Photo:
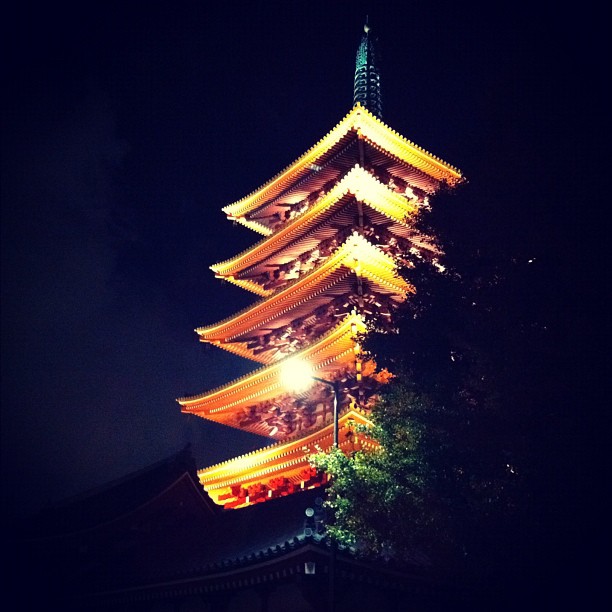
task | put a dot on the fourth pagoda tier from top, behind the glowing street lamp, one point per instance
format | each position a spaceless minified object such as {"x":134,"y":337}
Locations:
{"x":259,"y":403}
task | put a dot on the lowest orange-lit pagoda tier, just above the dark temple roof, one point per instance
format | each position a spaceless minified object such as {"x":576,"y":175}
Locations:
{"x":280,"y":469}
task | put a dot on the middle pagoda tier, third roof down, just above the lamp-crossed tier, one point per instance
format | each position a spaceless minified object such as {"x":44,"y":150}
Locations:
{"x":357,"y":276}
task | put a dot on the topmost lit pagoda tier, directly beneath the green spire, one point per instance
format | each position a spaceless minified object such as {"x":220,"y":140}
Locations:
{"x":359,"y":138}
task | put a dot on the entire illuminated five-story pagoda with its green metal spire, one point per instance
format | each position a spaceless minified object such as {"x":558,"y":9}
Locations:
{"x":336,"y":224}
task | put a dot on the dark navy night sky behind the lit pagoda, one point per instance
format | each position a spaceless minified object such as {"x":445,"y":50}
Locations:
{"x":128,"y":126}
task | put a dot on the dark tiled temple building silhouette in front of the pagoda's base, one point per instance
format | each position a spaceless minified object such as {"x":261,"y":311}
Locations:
{"x":153,"y":541}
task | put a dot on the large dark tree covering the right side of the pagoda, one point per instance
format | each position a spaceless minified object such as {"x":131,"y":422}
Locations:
{"x":460,"y":474}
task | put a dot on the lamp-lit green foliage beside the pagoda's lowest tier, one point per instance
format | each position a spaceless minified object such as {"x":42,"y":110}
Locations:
{"x":378,"y":498}
